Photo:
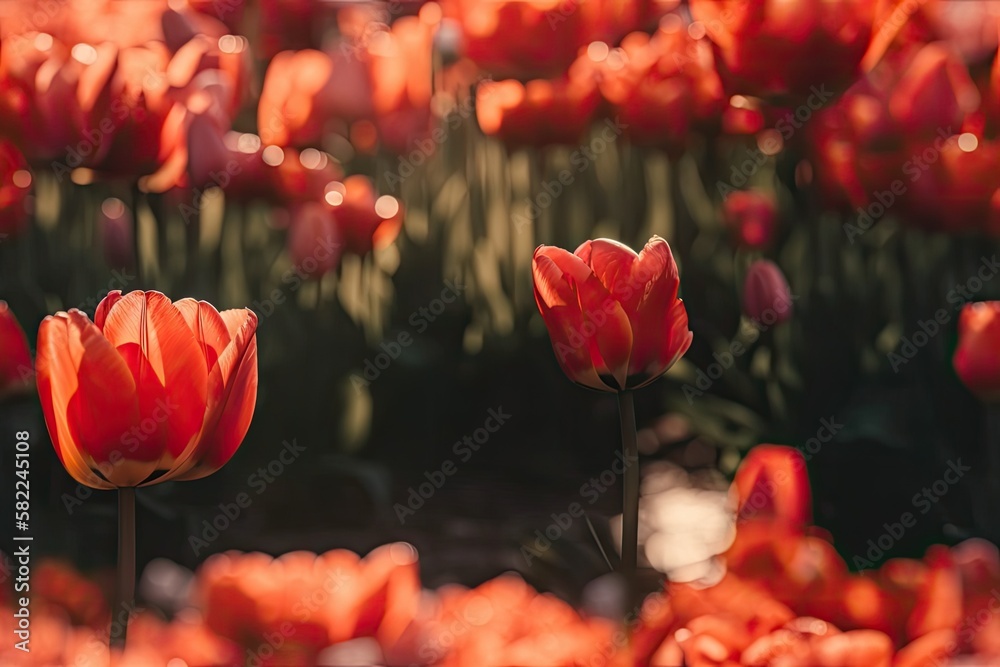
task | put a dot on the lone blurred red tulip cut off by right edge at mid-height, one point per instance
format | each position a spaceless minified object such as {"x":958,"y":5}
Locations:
{"x":977,"y":357}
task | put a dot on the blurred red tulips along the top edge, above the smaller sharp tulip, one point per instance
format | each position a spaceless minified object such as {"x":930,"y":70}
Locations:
{"x":660,"y":86}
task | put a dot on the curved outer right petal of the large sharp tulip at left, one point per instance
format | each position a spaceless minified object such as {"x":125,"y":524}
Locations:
{"x":232,"y":397}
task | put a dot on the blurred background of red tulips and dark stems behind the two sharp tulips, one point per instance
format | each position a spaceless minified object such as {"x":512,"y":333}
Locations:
{"x":215,"y":149}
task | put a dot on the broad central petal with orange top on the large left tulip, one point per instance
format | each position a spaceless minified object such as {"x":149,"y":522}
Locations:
{"x":167,"y":364}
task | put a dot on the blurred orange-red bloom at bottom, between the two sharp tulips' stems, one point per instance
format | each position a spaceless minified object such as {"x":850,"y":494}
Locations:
{"x":314,"y":600}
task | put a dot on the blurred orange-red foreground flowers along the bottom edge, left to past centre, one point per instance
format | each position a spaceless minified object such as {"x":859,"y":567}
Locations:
{"x":303,"y":609}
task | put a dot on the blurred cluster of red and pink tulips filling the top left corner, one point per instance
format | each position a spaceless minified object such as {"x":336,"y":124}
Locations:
{"x":150,"y":93}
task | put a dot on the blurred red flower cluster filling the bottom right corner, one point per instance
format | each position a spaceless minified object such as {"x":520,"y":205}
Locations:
{"x":788,"y":598}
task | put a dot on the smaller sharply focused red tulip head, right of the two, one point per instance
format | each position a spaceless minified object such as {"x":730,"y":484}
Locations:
{"x":614,"y":317}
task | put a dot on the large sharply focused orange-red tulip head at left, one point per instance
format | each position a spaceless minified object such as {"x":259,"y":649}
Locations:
{"x":149,"y":391}
